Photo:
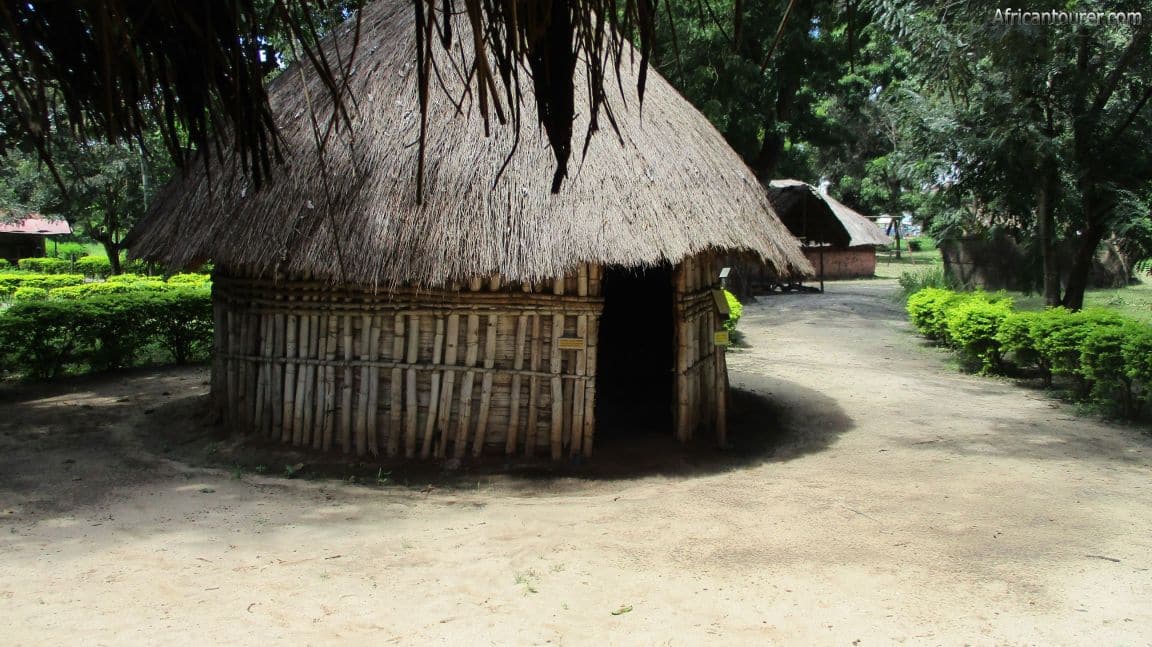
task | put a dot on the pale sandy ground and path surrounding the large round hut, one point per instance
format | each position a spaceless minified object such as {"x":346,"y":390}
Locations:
{"x":886,"y":499}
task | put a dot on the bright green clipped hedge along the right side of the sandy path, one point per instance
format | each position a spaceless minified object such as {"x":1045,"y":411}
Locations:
{"x":1106,"y":357}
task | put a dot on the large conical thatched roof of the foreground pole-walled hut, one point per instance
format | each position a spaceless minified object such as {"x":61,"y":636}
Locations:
{"x":673,"y":188}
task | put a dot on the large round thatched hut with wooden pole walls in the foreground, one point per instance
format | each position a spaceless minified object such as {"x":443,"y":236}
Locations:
{"x":353,"y":316}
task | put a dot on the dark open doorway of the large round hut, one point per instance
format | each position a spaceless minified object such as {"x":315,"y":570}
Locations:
{"x":635,"y":384}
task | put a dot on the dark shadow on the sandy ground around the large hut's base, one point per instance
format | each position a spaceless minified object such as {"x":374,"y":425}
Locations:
{"x":71,"y":444}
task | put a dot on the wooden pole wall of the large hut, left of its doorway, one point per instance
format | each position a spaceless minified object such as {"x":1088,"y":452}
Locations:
{"x":429,"y":374}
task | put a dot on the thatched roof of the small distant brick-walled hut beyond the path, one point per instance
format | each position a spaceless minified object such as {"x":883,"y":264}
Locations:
{"x":818,"y":218}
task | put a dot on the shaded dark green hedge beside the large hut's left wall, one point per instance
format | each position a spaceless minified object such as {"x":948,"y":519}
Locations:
{"x":46,"y":339}
